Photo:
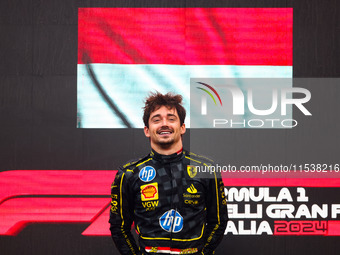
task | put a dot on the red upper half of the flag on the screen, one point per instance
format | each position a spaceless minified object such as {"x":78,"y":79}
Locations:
{"x":186,"y":36}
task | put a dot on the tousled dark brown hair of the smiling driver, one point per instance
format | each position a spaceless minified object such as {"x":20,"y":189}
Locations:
{"x":155,"y":100}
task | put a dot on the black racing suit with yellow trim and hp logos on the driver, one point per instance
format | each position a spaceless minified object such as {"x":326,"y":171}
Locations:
{"x":173,"y":210}
